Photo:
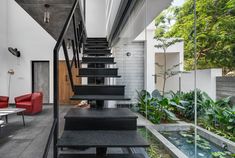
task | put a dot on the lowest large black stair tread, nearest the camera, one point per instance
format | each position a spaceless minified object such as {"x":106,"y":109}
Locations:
{"x":101,"y":138}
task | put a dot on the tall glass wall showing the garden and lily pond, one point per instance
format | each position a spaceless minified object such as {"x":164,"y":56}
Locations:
{"x":177,"y":62}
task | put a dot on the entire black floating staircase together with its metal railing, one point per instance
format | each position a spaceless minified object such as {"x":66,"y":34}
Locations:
{"x":97,"y":127}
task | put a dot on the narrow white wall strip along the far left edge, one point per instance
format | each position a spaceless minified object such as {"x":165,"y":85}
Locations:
{"x":3,"y":48}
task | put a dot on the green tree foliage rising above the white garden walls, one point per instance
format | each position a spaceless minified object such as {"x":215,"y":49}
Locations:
{"x":215,"y":32}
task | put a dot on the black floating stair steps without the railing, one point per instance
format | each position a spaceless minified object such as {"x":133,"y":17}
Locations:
{"x":100,"y":127}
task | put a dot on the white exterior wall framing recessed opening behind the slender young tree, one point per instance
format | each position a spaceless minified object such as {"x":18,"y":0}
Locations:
{"x":150,"y":54}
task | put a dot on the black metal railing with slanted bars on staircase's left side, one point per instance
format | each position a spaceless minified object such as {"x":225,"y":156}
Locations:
{"x":79,"y":32}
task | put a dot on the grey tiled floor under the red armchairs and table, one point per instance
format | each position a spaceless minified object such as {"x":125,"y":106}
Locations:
{"x":17,"y":141}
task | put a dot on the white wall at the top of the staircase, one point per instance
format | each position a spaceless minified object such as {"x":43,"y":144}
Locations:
{"x":95,"y":18}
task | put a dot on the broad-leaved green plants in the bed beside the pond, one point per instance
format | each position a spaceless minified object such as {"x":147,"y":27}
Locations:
{"x":216,"y":116}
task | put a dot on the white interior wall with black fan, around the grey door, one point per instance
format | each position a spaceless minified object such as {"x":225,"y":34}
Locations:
{"x":34,"y":43}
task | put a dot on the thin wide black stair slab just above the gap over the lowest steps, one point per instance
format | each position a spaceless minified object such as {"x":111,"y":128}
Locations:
{"x":99,"y":97}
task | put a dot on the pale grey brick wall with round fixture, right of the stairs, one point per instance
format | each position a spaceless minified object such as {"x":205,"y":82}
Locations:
{"x":130,"y":68}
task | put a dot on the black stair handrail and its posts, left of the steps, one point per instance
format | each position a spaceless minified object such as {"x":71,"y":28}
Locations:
{"x":61,"y":42}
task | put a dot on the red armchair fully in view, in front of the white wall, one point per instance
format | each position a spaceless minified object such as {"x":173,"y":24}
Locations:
{"x":31,"y":102}
